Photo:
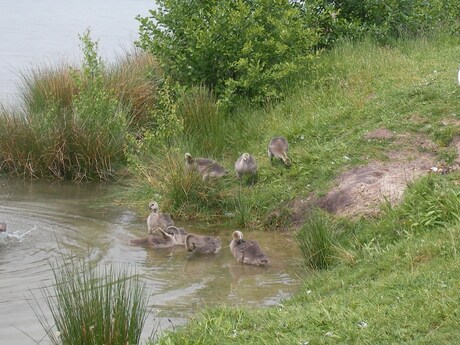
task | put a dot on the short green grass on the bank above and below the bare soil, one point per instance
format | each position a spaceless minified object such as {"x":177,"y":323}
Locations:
{"x":391,"y":279}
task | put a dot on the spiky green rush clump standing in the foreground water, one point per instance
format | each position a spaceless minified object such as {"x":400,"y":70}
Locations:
{"x":93,"y":305}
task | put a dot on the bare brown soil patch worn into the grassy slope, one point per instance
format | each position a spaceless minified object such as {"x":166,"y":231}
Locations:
{"x":362,"y":190}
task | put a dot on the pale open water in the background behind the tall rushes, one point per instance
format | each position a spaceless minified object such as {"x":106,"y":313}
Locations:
{"x":45,"y":32}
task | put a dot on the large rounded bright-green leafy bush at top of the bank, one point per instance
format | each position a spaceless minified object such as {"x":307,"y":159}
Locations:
{"x":248,"y":48}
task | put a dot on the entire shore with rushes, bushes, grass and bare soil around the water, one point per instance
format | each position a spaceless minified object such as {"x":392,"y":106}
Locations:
{"x":368,"y":99}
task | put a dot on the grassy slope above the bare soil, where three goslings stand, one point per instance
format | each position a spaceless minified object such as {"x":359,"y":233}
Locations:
{"x":356,"y":88}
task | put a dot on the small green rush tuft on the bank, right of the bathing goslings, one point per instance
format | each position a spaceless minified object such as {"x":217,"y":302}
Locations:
{"x":316,"y":241}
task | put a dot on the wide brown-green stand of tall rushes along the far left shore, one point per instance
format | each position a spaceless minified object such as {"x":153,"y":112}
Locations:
{"x":73,"y":123}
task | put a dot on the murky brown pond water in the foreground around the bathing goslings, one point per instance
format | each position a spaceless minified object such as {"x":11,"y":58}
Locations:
{"x":45,"y":219}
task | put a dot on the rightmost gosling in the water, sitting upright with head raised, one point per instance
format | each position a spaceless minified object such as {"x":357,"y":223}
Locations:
{"x":247,"y":252}
